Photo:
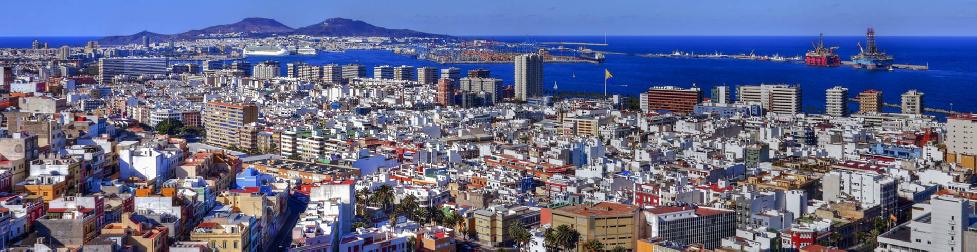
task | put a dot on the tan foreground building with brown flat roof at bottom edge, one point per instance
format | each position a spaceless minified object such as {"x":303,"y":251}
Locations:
{"x":612,"y":224}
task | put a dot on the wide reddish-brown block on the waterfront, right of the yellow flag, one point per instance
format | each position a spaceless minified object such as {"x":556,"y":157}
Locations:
{"x":674,"y":99}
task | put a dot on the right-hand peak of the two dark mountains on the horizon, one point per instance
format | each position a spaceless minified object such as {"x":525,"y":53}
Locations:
{"x":347,"y":27}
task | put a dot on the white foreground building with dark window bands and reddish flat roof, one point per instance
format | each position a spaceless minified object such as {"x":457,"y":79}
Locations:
{"x":690,"y":225}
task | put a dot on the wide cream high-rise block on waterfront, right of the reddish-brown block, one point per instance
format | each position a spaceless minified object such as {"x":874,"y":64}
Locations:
{"x":773,"y":98}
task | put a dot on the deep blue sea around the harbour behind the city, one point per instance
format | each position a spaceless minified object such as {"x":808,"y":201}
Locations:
{"x":948,"y":84}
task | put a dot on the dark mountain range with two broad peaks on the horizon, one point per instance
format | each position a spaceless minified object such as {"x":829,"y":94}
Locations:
{"x":262,"y":27}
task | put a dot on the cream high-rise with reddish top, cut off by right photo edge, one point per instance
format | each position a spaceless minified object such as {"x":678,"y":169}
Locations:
{"x":961,"y":140}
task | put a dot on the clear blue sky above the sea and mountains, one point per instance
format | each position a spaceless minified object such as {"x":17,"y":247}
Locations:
{"x":506,"y":17}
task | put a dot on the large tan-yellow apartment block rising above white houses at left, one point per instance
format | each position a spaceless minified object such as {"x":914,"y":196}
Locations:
{"x":224,"y":121}
